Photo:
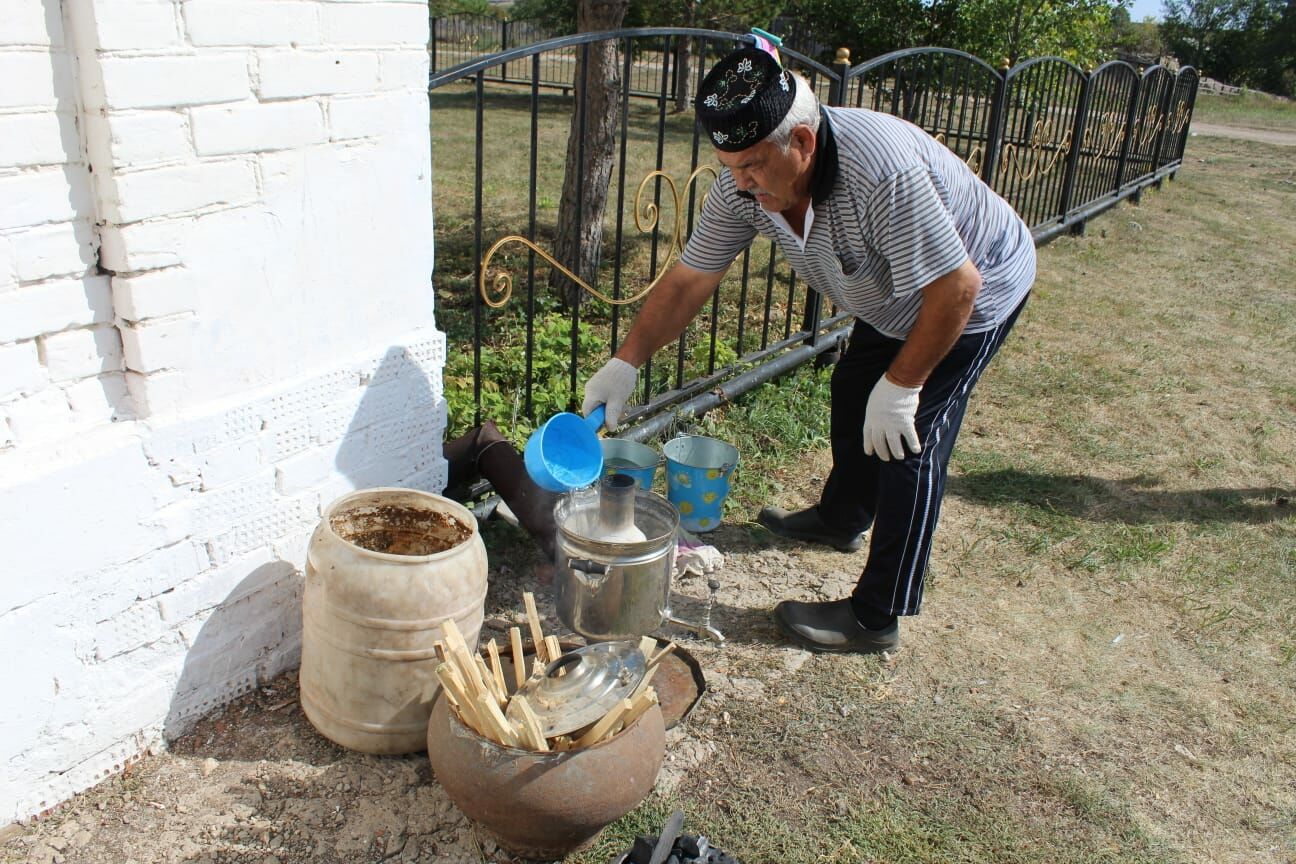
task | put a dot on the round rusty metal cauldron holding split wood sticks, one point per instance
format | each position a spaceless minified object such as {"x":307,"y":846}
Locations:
{"x":545,"y":805}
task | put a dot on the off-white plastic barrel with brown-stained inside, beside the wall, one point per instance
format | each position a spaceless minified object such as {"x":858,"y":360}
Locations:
{"x":386,"y":569}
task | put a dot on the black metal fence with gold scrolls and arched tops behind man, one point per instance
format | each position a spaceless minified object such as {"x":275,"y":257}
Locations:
{"x":1061,"y":144}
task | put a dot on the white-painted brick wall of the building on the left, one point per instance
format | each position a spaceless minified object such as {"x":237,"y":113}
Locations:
{"x":216,"y":318}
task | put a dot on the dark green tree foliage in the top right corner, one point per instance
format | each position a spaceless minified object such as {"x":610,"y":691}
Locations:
{"x":1240,"y":42}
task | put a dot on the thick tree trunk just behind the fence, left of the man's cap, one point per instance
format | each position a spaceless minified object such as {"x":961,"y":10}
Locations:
{"x":580,"y":231}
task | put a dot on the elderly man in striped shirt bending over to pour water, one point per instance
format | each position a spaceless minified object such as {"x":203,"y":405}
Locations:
{"x":892,"y":227}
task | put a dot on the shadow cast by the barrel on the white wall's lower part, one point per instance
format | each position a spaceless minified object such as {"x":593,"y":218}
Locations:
{"x":253,"y":635}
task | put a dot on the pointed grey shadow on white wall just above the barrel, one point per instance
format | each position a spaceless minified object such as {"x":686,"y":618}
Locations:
{"x":395,"y":436}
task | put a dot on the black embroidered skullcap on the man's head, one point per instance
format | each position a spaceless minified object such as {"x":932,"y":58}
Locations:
{"x":743,"y":99}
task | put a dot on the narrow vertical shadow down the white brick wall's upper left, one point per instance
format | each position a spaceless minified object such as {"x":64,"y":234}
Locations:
{"x":77,"y":227}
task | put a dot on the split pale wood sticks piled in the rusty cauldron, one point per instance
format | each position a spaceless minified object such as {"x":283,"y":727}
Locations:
{"x":481,"y":700}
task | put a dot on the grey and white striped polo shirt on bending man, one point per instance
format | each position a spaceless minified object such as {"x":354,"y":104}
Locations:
{"x":892,"y":210}
